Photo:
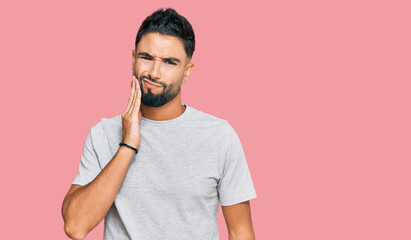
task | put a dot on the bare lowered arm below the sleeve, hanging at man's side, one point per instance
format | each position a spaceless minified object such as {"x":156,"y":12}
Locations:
{"x":238,"y":220}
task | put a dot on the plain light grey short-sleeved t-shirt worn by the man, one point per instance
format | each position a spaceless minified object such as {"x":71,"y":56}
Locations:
{"x":183,"y":168}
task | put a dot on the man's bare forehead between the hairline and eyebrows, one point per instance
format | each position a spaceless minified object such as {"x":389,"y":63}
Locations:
{"x":159,"y":45}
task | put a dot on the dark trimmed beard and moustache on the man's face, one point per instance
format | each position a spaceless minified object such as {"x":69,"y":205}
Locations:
{"x":150,"y":99}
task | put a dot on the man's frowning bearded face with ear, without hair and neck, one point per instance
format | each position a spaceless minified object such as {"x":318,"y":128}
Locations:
{"x":160,"y":59}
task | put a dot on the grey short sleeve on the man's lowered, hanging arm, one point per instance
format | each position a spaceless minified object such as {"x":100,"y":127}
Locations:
{"x":235,"y":184}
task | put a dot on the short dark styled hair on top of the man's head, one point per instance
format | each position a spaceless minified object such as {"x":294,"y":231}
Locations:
{"x":169,"y":22}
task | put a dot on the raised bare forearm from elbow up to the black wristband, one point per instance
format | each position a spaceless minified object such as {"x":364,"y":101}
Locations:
{"x":88,"y":205}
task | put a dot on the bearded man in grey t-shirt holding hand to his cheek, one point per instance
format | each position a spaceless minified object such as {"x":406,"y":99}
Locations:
{"x":175,"y":163}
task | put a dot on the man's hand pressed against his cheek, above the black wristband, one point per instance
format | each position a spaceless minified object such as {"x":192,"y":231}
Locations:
{"x":131,"y":117}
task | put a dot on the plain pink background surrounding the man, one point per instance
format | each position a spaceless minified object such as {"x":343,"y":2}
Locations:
{"x":318,"y":91}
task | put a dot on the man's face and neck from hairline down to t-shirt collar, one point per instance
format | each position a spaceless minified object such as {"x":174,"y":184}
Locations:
{"x":149,"y":62}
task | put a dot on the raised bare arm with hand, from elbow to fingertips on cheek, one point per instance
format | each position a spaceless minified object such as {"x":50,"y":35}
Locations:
{"x":85,"y":206}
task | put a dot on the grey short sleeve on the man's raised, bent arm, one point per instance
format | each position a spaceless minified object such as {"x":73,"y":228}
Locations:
{"x":89,"y":166}
